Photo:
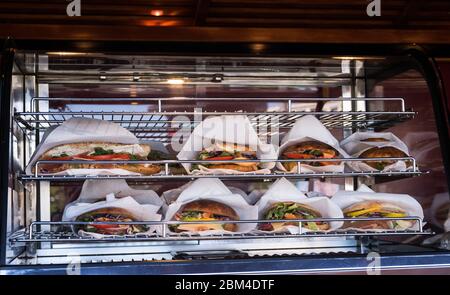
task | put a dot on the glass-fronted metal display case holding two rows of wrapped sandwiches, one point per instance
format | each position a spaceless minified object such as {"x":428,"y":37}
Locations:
{"x":161,"y":98}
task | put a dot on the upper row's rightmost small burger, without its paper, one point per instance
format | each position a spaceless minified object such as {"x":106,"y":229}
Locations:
{"x":383,"y":152}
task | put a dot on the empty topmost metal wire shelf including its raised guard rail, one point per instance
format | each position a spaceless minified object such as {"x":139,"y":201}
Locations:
{"x":161,"y":124}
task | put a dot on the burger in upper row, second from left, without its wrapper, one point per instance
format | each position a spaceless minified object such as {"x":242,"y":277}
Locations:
{"x":227,"y":151}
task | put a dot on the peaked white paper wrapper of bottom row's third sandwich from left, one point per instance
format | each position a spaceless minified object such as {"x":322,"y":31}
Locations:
{"x":284,"y":191}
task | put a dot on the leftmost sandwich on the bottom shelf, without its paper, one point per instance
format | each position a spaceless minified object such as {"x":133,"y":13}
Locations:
{"x":110,"y":215}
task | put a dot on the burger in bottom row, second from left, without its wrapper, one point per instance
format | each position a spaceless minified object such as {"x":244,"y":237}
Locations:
{"x":205,"y":210}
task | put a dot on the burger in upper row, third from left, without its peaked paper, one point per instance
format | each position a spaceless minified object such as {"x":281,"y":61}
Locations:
{"x":309,"y":150}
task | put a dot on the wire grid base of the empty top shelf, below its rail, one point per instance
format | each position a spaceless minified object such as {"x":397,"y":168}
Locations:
{"x":160,"y":126}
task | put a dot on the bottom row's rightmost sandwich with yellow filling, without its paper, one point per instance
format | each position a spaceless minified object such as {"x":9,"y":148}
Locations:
{"x":373,"y":209}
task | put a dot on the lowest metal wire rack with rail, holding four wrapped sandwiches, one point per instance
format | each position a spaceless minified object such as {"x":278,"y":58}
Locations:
{"x":161,"y":231}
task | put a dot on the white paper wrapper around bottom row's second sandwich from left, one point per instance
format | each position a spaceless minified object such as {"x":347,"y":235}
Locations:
{"x":213,"y":189}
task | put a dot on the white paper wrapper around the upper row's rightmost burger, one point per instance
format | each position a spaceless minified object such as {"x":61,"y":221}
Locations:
{"x":355,"y":147}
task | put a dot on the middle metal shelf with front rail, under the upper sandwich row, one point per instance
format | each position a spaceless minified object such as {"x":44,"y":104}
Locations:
{"x":168,"y":175}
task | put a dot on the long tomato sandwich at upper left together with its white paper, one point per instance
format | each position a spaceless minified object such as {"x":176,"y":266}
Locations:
{"x":83,"y":139}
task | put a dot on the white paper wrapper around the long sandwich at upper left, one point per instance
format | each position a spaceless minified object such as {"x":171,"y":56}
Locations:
{"x":77,"y":130}
